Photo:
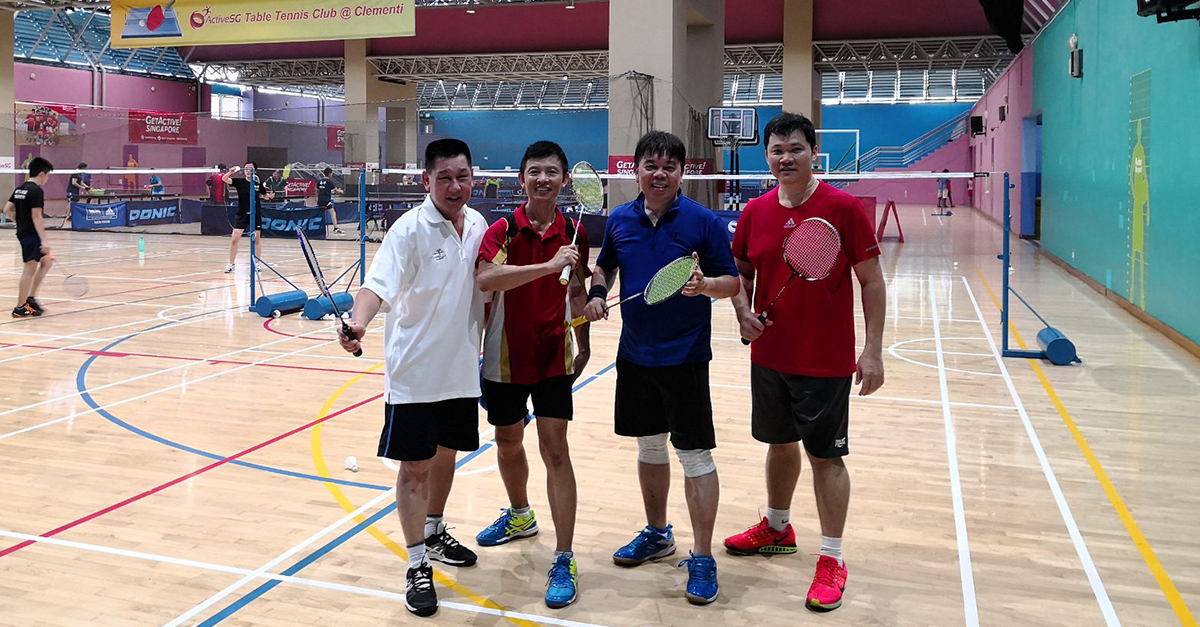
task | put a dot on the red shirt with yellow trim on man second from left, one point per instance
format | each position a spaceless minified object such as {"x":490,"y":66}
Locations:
{"x":529,"y":337}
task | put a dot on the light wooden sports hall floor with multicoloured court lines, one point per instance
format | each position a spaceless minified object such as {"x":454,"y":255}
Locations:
{"x":170,"y":459}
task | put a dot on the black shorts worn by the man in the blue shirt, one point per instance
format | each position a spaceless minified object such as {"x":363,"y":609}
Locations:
{"x":653,"y":401}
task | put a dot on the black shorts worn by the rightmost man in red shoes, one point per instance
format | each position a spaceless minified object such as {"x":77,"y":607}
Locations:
{"x":795,"y":408}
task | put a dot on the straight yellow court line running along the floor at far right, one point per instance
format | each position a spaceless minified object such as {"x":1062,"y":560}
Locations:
{"x":1139,"y":540}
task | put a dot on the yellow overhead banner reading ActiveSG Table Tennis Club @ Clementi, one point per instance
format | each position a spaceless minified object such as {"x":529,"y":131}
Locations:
{"x":149,"y":25}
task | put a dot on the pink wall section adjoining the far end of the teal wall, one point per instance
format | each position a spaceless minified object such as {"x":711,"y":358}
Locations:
{"x":999,"y":150}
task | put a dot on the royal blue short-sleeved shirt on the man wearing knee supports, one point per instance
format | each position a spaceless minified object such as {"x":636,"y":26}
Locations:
{"x":679,"y":331}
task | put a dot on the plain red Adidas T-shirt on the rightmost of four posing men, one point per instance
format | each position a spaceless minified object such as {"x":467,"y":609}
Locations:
{"x":813,"y":331}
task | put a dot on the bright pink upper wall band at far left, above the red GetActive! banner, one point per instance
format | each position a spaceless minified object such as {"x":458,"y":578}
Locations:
{"x":75,"y":87}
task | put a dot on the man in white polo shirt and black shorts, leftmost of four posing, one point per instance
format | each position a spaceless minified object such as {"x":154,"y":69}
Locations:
{"x":423,"y":278}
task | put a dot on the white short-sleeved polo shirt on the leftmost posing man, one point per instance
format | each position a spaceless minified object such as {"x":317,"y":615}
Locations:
{"x":425,"y":276}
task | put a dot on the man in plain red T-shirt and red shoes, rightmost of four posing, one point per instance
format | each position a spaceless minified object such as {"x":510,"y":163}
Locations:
{"x":803,"y":360}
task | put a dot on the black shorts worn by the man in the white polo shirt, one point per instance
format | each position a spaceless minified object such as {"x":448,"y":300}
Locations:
{"x":413,"y":432}
